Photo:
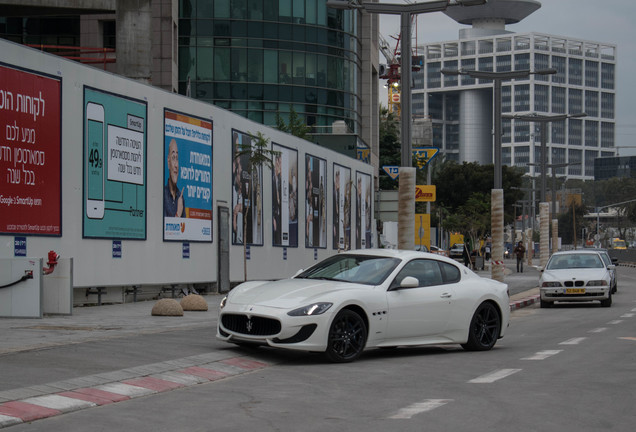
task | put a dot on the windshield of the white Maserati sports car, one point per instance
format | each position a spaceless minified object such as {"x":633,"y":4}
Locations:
{"x":364,"y":269}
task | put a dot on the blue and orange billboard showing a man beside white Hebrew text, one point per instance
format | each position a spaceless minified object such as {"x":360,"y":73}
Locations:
{"x":187,"y":179}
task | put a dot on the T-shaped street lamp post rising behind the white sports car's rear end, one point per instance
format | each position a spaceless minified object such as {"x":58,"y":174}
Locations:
{"x":497,"y":203}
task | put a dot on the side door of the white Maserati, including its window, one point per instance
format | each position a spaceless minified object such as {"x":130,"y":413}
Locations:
{"x":421,"y":311}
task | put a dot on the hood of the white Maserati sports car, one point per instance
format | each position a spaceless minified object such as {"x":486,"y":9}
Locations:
{"x":288,"y":293}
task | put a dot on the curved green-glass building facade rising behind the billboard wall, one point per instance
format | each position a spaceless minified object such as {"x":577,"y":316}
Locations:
{"x":262,"y":58}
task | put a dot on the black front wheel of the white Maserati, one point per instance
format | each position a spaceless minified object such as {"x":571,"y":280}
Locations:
{"x":347,"y":337}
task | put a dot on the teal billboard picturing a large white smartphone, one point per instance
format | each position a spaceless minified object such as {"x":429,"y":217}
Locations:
{"x":114,"y":166}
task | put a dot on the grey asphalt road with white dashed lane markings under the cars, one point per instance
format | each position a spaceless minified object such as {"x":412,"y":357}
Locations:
{"x":569,"y":368}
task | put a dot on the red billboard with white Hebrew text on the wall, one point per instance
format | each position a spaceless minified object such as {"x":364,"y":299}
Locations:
{"x":30,"y":153}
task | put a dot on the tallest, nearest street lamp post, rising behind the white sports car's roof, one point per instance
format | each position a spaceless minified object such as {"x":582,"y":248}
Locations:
{"x":406,"y":209}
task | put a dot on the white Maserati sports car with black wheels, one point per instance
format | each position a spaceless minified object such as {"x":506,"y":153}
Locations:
{"x":365,"y":299}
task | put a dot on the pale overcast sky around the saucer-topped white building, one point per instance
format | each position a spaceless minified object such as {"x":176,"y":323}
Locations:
{"x":606,"y":21}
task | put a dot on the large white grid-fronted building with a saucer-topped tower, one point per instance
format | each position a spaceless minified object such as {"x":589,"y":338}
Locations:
{"x":461,"y":107}
